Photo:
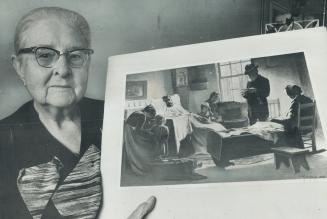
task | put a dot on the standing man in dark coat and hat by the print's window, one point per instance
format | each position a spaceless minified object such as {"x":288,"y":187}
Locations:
{"x":258,"y":89}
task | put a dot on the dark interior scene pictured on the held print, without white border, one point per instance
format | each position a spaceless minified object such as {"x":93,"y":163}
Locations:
{"x":245,"y":120}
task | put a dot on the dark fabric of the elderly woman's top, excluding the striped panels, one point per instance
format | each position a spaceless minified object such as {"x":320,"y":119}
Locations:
{"x":25,"y":142}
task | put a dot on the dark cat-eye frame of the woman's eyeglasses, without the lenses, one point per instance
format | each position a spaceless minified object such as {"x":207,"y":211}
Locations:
{"x":35,"y":48}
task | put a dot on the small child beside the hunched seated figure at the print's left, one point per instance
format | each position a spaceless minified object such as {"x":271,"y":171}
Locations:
{"x":161,"y":134}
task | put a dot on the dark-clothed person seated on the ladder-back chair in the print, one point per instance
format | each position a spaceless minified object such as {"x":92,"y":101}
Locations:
{"x":291,"y":121}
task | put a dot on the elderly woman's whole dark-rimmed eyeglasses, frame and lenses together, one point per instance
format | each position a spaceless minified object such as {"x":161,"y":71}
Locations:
{"x":48,"y":57}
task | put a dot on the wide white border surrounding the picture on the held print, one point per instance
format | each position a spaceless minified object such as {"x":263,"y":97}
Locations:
{"x":260,"y":199}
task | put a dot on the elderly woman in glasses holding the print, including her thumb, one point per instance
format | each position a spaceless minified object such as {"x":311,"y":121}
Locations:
{"x":50,"y":147}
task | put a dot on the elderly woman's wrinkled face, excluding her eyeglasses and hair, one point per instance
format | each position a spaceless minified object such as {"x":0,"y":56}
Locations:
{"x":59,"y":86}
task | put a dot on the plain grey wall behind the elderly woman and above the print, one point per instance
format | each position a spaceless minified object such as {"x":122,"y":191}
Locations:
{"x":124,"y":26}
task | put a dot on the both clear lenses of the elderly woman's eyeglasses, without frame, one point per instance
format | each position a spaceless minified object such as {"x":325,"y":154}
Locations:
{"x":48,"y":57}
